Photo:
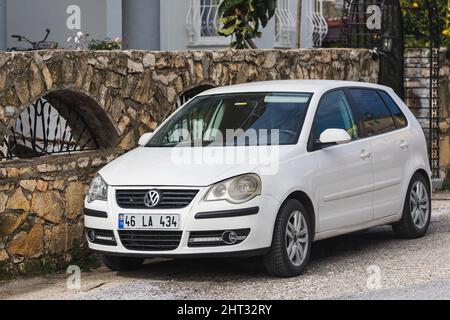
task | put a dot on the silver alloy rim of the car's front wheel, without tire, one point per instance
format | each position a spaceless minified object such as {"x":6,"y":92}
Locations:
{"x":297,"y":238}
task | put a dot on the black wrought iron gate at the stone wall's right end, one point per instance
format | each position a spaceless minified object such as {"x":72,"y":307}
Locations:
{"x":359,"y":29}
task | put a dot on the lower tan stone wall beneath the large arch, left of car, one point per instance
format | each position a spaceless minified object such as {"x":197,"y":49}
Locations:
{"x":41,"y":206}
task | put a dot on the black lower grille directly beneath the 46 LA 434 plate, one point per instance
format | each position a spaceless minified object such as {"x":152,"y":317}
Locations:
{"x":150,"y":240}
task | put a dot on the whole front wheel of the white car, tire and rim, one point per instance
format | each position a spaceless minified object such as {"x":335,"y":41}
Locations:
{"x":291,"y":243}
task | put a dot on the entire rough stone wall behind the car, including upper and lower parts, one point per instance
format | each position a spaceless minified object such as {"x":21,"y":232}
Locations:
{"x":121,"y":94}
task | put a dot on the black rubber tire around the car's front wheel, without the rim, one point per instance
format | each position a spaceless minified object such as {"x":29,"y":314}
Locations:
{"x":277,"y":262}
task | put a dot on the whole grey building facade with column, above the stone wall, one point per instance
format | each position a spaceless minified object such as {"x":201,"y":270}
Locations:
{"x":143,"y":24}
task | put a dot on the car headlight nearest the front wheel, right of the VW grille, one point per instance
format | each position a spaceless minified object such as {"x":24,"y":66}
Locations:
{"x":235,"y":190}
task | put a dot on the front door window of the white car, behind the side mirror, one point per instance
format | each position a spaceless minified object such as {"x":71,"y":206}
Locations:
{"x":334,"y":112}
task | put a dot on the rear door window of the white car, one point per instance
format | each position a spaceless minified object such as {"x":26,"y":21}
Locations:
{"x":376,"y":117}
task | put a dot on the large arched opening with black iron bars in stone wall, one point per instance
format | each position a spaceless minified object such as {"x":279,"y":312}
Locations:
{"x":61,"y":122}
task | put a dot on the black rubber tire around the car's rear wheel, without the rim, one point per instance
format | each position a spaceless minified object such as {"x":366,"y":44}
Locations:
{"x":406,"y":228}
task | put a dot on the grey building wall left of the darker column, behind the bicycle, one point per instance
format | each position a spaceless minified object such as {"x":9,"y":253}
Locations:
{"x":30,"y":18}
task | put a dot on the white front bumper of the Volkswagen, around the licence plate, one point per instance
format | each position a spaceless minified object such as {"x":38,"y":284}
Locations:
{"x":198,"y":217}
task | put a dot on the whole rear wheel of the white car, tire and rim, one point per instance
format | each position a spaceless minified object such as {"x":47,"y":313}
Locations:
{"x":417,"y":210}
